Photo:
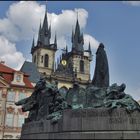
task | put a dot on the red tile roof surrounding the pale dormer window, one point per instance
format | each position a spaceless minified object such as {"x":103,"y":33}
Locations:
{"x":8,"y":75}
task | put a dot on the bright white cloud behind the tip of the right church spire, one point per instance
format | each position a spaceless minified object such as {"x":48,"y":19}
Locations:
{"x":65,"y":22}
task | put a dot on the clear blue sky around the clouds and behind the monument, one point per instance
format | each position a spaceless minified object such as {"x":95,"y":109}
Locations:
{"x":116,"y":24}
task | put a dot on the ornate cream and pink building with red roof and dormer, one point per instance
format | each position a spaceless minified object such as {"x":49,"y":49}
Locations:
{"x":14,"y":86}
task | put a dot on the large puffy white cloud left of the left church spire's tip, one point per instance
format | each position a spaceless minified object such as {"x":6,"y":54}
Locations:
{"x":22,"y":20}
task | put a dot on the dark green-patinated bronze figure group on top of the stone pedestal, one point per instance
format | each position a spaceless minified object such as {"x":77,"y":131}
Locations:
{"x":46,"y":101}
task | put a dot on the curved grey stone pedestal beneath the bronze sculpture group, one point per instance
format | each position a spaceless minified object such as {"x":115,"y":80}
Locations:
{"x":87,"y":124}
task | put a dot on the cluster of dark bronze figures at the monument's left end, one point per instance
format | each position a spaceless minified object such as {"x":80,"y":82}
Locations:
{"x":45,"y":100}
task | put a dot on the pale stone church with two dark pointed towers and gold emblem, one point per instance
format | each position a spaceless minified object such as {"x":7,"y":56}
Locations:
{"x":72,"y":66}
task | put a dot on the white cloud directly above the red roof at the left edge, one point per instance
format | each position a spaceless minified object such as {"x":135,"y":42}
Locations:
{"x":9,"y":54}
